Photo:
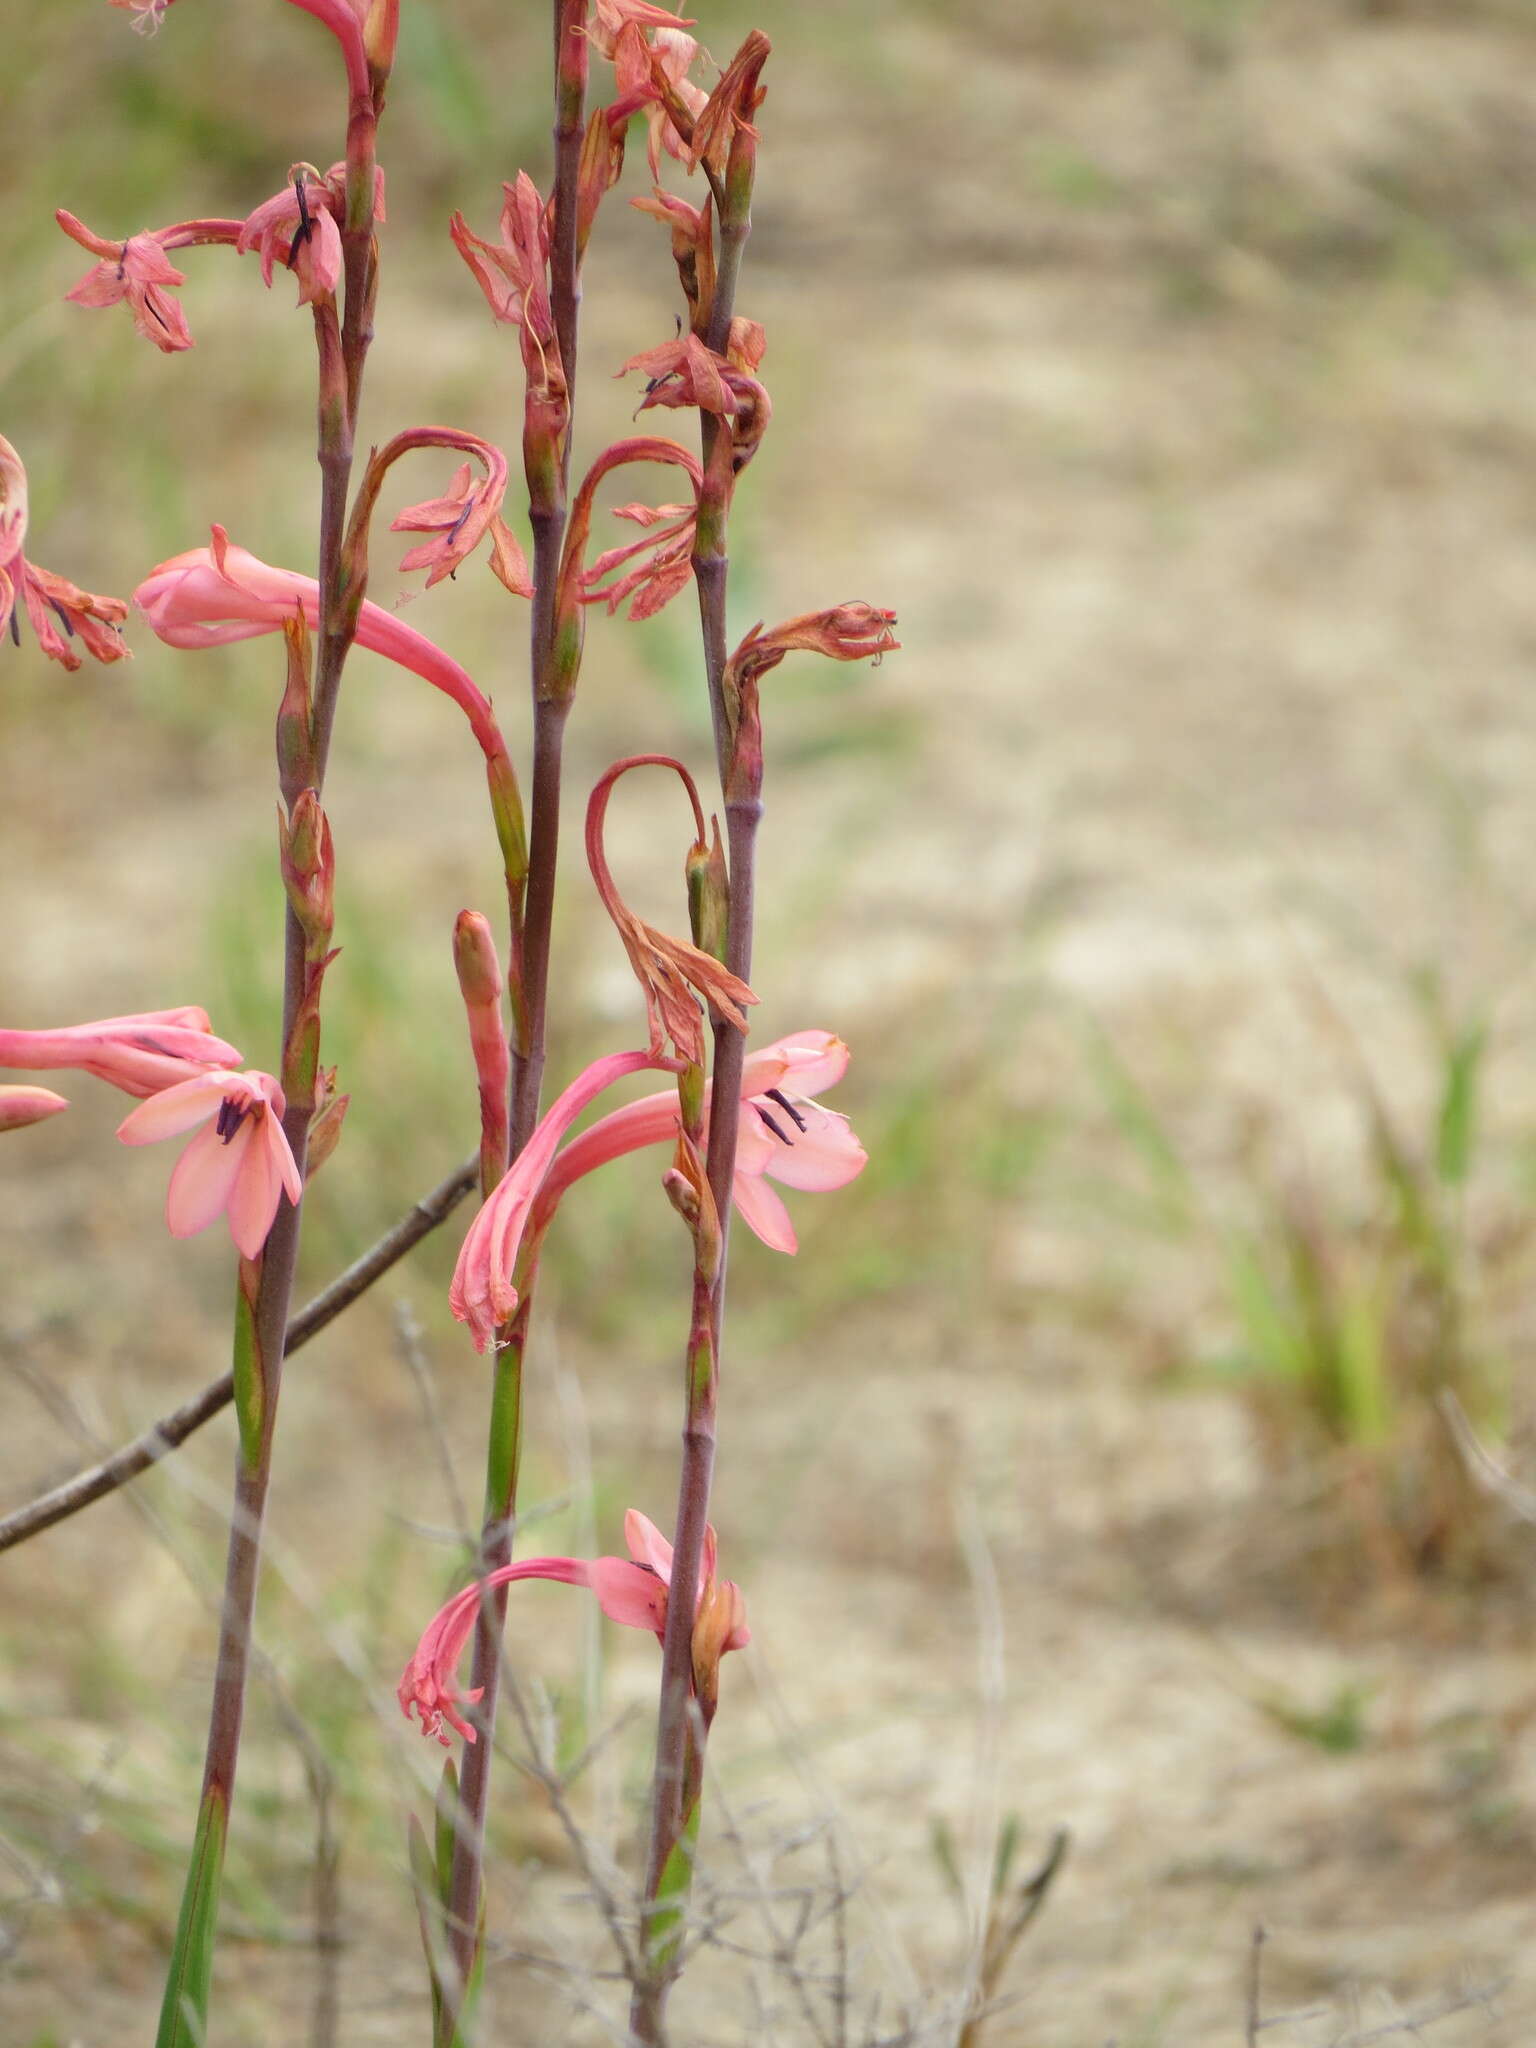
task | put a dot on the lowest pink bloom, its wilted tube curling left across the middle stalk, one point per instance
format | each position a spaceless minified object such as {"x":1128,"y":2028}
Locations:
{"x":630,"y":1590}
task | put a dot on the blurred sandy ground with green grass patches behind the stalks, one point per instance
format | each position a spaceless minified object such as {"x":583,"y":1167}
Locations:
{"x":1164,"y":364}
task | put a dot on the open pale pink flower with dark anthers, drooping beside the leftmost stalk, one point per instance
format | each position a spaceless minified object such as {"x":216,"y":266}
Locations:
{"x":241,"y":1160}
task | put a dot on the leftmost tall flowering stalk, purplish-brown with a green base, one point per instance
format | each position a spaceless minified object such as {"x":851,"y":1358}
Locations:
{"x":267,"y":1281}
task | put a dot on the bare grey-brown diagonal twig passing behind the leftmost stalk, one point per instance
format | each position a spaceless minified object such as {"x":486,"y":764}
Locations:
{"x":163,"y":1437}
